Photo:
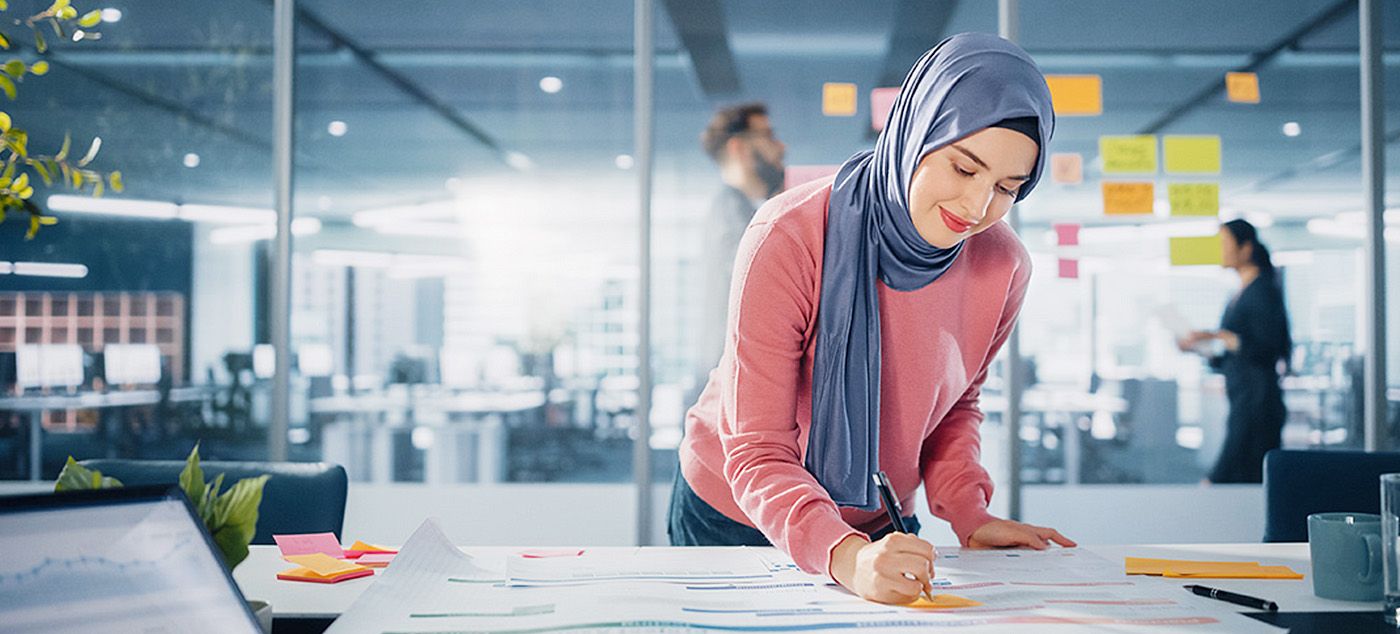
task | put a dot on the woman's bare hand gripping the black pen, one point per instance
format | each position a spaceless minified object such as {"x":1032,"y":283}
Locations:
{"x":892,"y":570}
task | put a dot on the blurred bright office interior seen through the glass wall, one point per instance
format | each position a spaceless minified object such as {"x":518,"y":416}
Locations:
{"x":465,"y":265}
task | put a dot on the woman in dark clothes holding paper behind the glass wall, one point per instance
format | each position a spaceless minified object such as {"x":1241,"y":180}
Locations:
{"x":1254,"y":345}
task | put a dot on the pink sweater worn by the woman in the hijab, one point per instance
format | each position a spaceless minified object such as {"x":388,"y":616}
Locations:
{"x":747,"y":436}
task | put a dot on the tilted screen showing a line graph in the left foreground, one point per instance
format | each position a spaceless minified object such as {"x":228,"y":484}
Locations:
{"x":122,"y":561}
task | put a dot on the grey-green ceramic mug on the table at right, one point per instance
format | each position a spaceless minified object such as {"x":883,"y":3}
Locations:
{"x":1346,"y":555}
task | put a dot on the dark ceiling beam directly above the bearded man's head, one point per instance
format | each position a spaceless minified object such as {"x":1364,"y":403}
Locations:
{"x":703,"y":34}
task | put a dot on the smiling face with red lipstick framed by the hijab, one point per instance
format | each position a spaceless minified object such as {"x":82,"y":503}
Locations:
{"x":969,"y":185}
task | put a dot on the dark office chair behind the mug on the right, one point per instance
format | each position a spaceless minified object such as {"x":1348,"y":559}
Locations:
{"x":1300,"y":484}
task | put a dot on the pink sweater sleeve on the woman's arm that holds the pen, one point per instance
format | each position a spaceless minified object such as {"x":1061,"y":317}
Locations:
{"x":771,"y":309}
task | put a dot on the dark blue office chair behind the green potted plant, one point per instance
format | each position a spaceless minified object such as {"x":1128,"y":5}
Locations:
{"x":300,"y":498}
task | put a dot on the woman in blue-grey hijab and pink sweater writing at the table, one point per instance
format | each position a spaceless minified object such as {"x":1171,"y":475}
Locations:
{"x":863,"y":317}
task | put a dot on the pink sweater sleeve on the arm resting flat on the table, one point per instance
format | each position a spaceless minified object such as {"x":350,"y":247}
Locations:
{"x":955,"y":482}
